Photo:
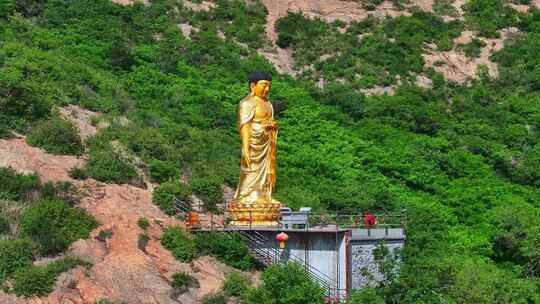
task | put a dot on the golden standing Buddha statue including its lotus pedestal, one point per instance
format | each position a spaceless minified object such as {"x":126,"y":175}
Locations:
{"x":253,"y":203}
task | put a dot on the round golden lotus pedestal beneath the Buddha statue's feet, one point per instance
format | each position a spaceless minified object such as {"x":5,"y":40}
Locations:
{"x":259,"y":214}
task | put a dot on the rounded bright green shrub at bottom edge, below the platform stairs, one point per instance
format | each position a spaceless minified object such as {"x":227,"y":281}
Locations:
{"x":286,"y":284}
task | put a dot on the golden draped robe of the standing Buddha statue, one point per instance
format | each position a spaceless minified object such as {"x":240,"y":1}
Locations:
{"x":257,"y":181}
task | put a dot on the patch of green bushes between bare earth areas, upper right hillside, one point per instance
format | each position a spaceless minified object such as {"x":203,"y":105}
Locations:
{"x":386,"y":49}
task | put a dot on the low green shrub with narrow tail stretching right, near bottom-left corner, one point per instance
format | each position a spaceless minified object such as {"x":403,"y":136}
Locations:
{"x":39,"y":280}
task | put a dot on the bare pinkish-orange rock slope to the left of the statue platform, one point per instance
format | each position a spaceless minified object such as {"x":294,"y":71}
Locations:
{"x":121,"y":270}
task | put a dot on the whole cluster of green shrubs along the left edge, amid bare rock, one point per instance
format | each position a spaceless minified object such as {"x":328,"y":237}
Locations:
{"x":37,"y":225}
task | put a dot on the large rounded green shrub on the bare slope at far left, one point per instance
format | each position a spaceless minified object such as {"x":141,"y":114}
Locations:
{"x":54,"y":225}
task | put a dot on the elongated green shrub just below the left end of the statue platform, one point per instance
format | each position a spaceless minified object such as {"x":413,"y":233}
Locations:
{"x":229,"y":249}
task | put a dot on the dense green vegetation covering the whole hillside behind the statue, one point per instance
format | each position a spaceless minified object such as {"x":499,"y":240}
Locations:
{"x":464,"y":161}
